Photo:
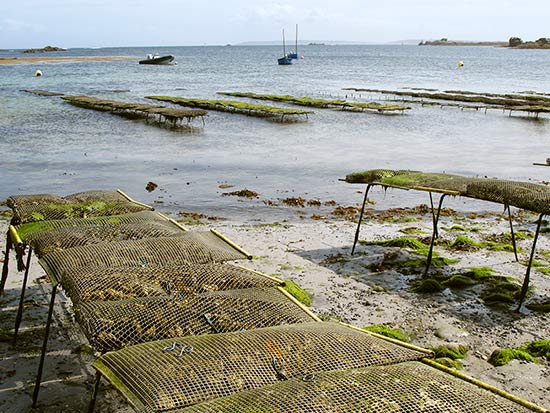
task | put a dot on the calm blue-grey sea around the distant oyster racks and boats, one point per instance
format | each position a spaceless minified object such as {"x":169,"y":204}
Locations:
{"x":49,"y":146}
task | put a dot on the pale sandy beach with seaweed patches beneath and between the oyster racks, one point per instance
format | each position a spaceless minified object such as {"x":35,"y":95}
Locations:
{"x":358,"y":289}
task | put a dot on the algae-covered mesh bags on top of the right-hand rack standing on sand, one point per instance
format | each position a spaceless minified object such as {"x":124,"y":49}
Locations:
{"x":523,"y":195}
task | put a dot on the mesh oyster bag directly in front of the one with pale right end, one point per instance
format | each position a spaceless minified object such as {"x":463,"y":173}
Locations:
{"x":120,"y":283}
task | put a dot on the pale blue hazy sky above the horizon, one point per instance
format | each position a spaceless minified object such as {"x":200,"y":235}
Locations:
{"x":111,"y":23}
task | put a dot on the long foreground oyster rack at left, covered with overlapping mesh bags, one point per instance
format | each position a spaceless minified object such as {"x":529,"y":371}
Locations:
{"x":180,"y":330}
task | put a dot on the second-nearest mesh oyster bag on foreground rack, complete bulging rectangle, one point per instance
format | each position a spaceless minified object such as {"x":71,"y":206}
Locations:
{"x":224,"y":364}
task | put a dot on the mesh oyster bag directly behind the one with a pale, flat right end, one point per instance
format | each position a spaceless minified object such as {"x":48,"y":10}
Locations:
{"x":46,"y":242}
